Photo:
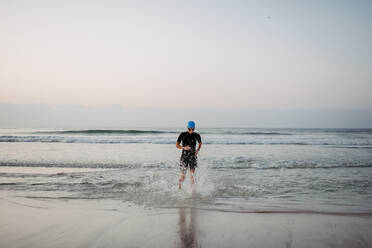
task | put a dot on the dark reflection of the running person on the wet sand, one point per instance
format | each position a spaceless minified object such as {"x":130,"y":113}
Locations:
{"x":187,"y":230}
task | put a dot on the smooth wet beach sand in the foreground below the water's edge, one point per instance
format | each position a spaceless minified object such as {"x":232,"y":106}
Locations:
{"x":47,"y":222}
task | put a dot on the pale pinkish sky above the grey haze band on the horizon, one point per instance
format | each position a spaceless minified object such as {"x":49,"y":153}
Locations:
{"x":210,"y":54}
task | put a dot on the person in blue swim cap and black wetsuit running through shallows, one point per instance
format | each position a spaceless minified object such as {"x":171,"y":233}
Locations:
{"x":187,"y":142}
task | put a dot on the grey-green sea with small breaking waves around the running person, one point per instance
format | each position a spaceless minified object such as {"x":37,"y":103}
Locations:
{"x":239,"y":169}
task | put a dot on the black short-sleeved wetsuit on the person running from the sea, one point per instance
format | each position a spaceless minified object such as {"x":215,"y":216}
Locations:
{"x":188,"y":158}
